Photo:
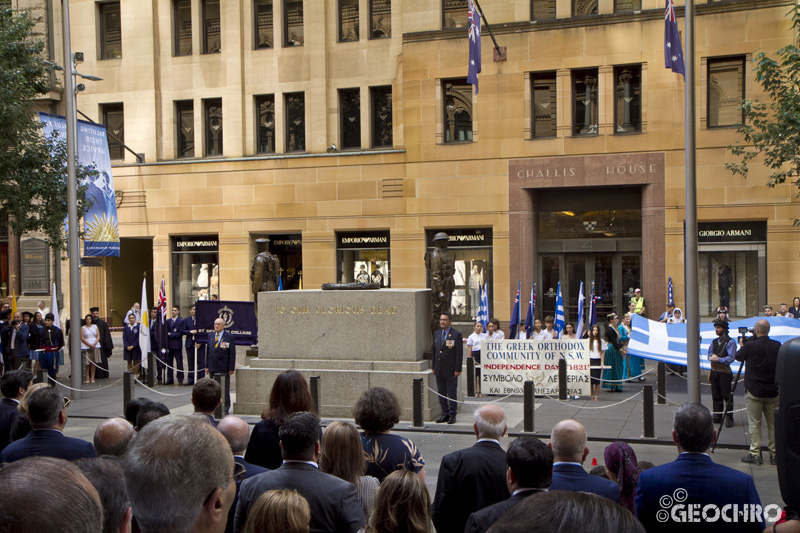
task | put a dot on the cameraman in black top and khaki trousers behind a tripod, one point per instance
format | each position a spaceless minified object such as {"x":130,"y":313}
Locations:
{"x":761,"y":393}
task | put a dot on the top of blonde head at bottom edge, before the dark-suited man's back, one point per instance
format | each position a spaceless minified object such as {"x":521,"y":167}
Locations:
{"x":281,"y":510}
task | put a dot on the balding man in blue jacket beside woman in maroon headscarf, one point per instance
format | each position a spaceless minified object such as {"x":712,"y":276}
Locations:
{"x":568,"y":442}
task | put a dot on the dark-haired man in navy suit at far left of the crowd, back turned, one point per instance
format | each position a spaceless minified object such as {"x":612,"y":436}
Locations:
{"x":48,"y":416}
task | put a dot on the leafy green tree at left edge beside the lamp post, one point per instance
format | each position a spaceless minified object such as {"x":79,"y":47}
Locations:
{"x":33,"y":180}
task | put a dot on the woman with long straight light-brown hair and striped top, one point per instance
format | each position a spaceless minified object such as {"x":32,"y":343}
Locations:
{"x":342,"y":456}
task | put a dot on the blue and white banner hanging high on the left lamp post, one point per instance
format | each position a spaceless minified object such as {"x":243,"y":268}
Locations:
{"x":100,"y":221}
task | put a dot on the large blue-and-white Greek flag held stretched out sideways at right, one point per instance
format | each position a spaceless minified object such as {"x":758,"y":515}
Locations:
{"x":667,"y":342}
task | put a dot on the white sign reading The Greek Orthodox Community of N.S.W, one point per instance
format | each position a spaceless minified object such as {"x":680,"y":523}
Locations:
{"x":508,"y":364}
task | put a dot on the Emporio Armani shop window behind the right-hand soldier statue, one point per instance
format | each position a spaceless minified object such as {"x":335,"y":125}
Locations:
{"x":471,"y":252}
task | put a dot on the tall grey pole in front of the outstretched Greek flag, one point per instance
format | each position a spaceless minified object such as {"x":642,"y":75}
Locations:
{"x":690,"y":228}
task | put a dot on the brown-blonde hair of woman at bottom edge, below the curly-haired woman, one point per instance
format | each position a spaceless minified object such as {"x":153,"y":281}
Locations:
{"x":403,"y":505}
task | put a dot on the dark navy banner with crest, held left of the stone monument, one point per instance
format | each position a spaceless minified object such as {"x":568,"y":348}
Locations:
{"x":239,"y":317}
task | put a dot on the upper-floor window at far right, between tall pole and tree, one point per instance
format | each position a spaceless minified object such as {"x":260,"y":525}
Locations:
{"x":725,"y":91}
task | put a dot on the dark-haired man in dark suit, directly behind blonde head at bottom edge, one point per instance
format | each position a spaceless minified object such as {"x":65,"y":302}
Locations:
{"x":333,"y":501}
